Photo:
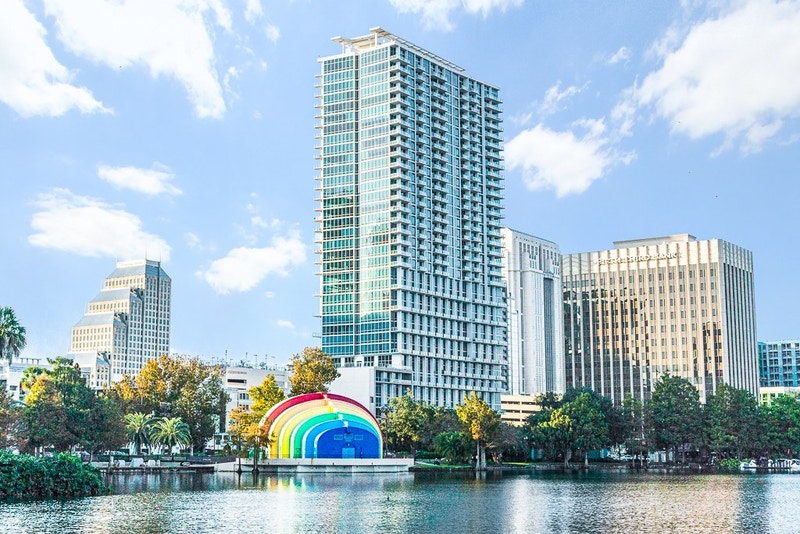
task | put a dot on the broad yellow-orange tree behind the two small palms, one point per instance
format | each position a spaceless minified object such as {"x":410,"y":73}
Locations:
{"x":178,"y":387}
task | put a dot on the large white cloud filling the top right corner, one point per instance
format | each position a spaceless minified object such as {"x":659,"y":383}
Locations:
{"x":737,"y":75}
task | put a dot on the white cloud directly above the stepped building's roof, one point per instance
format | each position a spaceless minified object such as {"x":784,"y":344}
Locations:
{"x":90,"y":227}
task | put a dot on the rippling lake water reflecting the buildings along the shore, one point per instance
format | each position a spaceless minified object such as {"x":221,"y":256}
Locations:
{"x":424,"y":502}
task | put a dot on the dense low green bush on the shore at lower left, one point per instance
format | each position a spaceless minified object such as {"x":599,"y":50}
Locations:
{"x":62,"y":476}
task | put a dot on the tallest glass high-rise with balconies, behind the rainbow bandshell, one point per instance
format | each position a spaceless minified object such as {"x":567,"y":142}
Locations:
{"x":410,"y":186}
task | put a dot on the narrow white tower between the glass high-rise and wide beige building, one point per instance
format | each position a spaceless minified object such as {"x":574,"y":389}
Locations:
{"x":532,"y":272}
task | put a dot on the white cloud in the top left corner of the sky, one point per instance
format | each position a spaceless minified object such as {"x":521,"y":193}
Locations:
{"x":32,"y":81}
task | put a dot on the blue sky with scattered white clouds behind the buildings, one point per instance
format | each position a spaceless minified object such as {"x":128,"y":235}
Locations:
{"x":185,"y":130}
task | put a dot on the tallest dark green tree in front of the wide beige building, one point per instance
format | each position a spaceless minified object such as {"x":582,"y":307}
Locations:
{"x":673,"y":414}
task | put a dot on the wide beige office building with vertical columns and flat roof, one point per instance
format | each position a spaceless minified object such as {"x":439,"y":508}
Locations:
{"x":662,"y":305}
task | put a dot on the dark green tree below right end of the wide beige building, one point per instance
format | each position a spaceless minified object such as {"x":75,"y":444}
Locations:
{"x":731,"y":421}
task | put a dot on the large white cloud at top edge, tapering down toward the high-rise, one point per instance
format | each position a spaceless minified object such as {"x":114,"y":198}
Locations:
{"x":171,"y":38}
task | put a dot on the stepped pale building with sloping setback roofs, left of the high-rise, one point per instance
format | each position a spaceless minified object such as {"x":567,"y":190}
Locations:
{"x":127,"y":324}
